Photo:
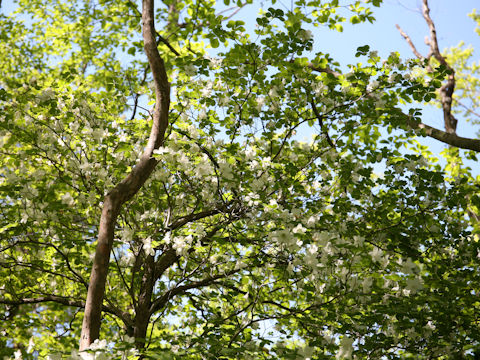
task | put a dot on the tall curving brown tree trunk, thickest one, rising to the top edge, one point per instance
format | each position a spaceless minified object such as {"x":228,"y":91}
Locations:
{"x":129,"y":186}
